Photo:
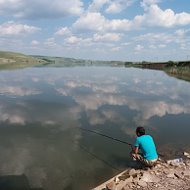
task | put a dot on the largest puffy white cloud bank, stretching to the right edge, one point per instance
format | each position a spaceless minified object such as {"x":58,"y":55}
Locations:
{"x":153,"y":16}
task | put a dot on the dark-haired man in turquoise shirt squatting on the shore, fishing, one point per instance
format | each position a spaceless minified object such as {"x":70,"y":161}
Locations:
{"x":146,"y":144}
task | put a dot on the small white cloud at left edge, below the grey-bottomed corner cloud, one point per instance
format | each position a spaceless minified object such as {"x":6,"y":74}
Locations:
{"x":12,"y":28}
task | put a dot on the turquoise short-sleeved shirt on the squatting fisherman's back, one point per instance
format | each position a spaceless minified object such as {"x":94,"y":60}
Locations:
{"x":147,"y":146}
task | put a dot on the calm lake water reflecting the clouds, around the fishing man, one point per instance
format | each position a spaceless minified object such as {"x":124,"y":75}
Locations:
{"x":42,"y":110}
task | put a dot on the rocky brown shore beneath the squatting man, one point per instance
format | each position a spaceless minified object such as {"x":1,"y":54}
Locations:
{"x":166,"y":175}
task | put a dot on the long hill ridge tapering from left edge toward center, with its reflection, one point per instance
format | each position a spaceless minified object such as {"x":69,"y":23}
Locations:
{"x":12,"y":60}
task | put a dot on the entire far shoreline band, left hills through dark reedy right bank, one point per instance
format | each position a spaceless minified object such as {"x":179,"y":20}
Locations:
{"x":11,"y":60}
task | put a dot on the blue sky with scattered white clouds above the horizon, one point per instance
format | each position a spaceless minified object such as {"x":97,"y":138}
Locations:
{"x":126,"y":30}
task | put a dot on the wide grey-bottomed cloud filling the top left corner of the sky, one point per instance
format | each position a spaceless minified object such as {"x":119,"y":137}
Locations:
{"x":40,"y":9}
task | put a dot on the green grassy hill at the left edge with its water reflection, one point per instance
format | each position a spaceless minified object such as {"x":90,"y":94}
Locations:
{"x":18,"y":60}
